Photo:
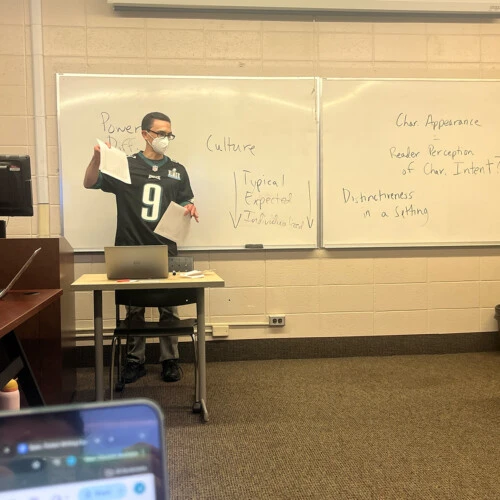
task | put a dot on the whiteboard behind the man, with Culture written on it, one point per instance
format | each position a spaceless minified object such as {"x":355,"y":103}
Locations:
{"x":250,"y":147}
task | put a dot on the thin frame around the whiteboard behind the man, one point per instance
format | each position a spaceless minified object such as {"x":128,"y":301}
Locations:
{"x":316,"y":82}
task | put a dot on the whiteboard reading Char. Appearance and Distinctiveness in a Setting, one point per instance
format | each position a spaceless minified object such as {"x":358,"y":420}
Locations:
{"x":410,"y":162}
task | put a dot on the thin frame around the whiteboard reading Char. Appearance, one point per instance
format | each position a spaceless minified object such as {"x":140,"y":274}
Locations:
{"x":361,"y":246}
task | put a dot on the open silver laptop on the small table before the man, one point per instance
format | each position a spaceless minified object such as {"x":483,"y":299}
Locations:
{"x":136,"y":262}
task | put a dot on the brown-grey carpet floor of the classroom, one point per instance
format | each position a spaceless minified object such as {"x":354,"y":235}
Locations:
{"x":399,"y":427}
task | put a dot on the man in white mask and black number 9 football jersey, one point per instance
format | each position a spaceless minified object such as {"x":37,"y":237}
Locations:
{"x":156,"y":180}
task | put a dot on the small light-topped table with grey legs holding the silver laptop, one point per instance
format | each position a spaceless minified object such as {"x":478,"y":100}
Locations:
{"x":99,"y":282}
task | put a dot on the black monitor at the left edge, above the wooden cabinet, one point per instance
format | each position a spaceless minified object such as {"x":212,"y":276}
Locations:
{"x":15,"y":186}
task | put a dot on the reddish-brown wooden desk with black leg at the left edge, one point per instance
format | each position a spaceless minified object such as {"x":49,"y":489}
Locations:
{"x":16,"y":308}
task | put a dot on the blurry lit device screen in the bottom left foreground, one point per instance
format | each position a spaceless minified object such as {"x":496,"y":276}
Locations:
{"x":105,"y":451}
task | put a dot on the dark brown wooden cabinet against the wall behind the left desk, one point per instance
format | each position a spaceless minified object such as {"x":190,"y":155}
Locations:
{"x":49,"y":339}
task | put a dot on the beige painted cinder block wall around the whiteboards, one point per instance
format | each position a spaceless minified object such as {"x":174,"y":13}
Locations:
{"x":324,"y":293}
